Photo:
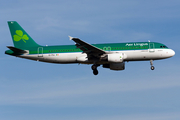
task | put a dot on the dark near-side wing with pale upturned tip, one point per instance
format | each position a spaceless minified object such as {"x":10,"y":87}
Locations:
{"x":87,"y":48}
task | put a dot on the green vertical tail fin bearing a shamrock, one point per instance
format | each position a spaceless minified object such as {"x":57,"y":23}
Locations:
{"x":20,"y":38}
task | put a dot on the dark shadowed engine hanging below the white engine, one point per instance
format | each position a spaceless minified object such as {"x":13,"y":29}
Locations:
{"x":115,"y":66}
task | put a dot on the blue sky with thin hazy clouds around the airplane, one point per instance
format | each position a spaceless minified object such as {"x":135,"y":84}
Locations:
{"x":31,"y":90}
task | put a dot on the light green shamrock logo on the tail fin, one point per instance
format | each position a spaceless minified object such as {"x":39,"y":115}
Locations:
{"x":19,"y":35}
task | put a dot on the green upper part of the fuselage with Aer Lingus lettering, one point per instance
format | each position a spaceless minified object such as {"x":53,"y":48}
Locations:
{"x":105,"y":47}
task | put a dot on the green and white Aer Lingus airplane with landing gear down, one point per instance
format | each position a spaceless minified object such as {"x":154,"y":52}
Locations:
{"x":110,"y":55}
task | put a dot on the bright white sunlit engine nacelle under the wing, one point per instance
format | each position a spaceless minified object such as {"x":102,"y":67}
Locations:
{"x":116,"y":57}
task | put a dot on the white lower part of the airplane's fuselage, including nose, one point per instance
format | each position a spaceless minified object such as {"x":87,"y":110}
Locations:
{"x":79,"y":57}
